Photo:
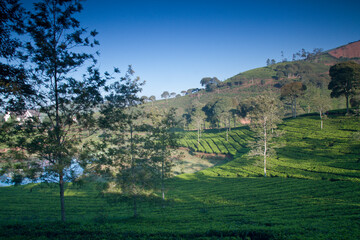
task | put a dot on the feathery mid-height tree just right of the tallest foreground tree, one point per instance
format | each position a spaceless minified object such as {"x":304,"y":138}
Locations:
{"x":119,"y":157}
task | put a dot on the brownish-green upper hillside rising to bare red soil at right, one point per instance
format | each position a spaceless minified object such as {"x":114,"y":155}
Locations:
{"x":312,"y":72}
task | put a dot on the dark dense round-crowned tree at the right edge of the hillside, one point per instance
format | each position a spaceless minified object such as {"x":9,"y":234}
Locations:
{"x":345,"y":80}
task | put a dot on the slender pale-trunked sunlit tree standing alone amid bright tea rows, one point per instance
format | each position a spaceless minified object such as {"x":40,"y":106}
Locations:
{"x":265,"y":116}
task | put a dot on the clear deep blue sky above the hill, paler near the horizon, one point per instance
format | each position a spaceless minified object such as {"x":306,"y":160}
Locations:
{"x":173,"y":44}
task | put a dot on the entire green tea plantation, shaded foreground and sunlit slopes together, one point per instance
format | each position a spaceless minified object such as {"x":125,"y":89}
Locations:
{"x":312,"y":192}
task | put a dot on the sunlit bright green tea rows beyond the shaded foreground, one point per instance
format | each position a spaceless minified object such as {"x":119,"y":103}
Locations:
{"x":306,"y":151}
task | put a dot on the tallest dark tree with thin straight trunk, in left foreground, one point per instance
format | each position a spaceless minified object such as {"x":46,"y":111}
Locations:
{"x":53,"y":53}
